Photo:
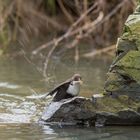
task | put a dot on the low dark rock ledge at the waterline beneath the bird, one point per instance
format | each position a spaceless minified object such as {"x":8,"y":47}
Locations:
{"x":105,"y":111}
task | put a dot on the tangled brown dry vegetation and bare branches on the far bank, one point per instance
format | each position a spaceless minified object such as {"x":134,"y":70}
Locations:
{"x":48,"y":24}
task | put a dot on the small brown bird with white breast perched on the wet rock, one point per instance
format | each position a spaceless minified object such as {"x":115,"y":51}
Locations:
{"x":68,"y":89}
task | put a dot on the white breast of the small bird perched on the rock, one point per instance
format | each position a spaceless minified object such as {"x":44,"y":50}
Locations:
{"x":73,"y":89}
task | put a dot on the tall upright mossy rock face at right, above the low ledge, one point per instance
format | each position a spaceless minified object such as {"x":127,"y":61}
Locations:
{"x":124,"y":74}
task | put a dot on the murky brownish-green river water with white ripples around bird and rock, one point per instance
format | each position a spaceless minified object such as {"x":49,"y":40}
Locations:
{"x":22,"y":89}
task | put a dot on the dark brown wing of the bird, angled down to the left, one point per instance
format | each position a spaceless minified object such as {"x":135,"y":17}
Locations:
{"x":63,"y":86}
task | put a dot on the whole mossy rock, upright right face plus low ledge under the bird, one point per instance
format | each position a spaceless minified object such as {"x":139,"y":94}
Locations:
{"x":120,"y":104}
